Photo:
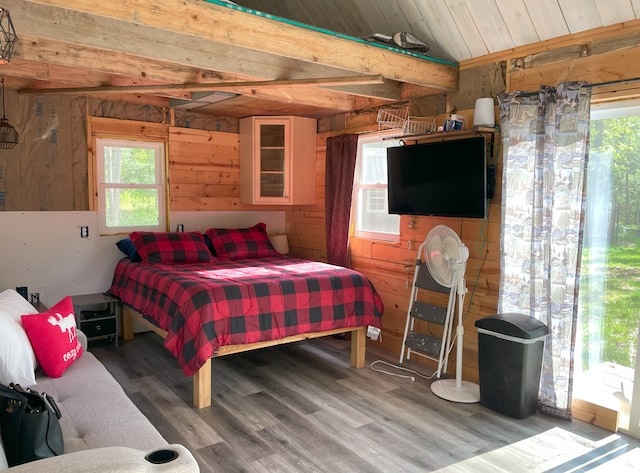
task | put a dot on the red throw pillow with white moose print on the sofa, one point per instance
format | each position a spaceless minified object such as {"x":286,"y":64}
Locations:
{"x":53,"y":337}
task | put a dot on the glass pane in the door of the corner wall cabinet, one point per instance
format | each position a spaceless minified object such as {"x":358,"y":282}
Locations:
{"x":272,"y":160}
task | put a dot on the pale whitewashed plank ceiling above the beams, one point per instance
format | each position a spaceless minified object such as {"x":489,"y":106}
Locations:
{"x":456,"y":30}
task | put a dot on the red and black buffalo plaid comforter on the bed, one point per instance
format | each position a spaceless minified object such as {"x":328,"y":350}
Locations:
{"x":203,"y":306}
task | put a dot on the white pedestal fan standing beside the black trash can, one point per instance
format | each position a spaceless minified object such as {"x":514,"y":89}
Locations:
{"x":446,"y":257}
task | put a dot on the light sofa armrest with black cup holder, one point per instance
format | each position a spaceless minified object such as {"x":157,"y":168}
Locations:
{"x":169,"y":459}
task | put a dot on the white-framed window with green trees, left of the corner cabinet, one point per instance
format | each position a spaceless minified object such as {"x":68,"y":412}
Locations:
{"x":131,"y":192}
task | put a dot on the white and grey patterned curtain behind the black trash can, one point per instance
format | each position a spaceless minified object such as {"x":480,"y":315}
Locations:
{"x":545,"y":147}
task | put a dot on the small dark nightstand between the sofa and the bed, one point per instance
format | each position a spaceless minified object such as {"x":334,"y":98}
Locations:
{"x":98,"y":316}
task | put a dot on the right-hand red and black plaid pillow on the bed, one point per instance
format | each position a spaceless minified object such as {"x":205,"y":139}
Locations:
{"x":241,"y":243}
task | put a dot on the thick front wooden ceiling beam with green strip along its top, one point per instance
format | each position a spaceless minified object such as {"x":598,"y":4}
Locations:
{"x":250,"y":32}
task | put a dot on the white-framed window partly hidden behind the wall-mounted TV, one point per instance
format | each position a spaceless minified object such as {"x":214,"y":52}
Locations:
{"x":370,"y":203}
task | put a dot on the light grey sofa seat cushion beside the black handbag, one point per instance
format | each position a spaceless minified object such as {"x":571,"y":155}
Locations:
{"x":96,"y":412}
